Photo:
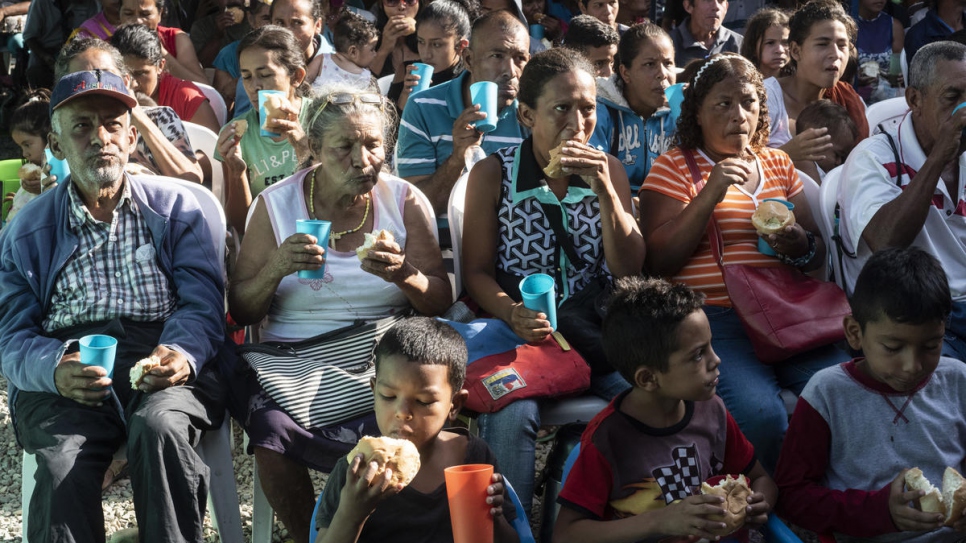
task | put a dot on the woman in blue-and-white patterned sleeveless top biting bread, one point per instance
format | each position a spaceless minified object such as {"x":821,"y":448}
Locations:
{"x":509,"y":233}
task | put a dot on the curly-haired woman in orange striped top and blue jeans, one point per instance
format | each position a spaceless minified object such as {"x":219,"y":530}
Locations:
{"x":724,"y":127}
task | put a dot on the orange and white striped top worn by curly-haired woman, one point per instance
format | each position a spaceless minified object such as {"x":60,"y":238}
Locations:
{"x":670,"y":176}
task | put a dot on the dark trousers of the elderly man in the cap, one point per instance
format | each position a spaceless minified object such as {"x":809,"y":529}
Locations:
{"x":74,"y":445}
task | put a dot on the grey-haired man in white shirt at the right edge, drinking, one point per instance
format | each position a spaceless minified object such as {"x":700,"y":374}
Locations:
{"x":908,"y":190}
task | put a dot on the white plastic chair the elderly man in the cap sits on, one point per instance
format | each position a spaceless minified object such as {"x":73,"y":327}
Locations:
{"x":214,"y":447}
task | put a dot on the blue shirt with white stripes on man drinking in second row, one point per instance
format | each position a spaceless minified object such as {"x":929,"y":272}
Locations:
{"x":426,"y":129}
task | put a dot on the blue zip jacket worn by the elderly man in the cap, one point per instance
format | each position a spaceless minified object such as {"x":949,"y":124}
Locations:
{"x":36,"y":245}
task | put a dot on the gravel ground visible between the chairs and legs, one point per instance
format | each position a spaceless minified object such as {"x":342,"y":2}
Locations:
{"x":118,"y":508}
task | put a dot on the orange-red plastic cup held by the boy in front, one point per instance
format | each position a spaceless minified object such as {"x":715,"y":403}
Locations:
{"x":468,"y":510}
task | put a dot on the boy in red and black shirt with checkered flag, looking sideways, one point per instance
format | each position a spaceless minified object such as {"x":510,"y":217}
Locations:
{"x":643,"y":458}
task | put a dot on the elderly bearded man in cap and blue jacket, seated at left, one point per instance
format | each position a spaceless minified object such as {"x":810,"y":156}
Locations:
{"x":133,"y":258}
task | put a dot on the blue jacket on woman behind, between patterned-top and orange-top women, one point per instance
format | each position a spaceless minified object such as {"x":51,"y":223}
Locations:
{"x":635,"y":141}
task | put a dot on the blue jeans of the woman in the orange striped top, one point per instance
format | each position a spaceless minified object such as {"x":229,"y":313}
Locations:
{"x":751,"y":389}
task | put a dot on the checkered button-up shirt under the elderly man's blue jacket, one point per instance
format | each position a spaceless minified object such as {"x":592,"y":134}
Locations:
{"x":113,"y":272}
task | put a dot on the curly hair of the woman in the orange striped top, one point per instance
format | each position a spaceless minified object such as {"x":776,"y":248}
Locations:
{"x":713,"y":70}
